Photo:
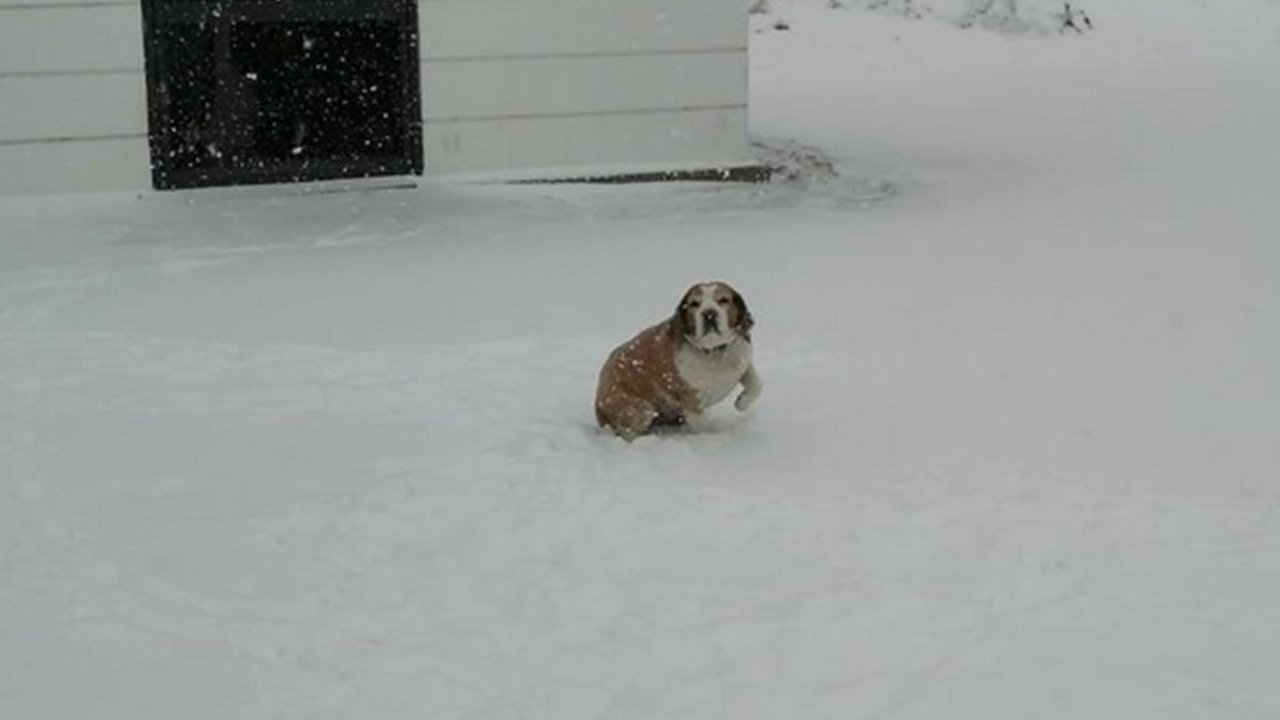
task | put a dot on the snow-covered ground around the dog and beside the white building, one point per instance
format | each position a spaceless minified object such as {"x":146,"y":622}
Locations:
{"x":280,"y":455}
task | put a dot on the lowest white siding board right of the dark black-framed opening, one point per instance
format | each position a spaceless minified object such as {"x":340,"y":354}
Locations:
{"x":676,"y":138}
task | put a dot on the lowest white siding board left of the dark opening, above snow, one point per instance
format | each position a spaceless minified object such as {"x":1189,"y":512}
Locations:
{"x":116,"y":165}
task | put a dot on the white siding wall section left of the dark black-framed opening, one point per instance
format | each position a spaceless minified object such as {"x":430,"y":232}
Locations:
{"x":72,"y":97}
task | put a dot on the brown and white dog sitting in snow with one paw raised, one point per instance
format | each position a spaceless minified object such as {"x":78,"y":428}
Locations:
{"x":671,"y":373}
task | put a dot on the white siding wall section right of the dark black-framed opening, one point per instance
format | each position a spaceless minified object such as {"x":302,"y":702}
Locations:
{"x":511,"y":85}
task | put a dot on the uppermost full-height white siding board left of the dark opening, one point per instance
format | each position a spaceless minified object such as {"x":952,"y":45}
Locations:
{"x":70,"y":39}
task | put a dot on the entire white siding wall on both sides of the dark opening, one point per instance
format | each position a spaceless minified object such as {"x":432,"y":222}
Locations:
{"x":508,"y":85}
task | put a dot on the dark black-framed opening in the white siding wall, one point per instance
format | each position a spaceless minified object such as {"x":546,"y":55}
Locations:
{"x":253,"y":92}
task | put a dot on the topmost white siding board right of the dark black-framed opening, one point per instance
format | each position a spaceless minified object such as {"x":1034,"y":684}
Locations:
{"x":497,"y":29}
